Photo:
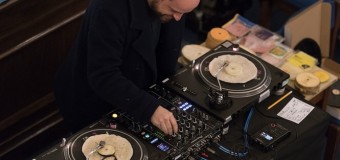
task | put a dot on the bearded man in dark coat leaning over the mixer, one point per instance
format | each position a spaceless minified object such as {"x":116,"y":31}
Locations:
{"x":123,"y":47}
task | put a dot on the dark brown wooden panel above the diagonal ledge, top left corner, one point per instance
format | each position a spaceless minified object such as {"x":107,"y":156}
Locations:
{"x":25,"y":19}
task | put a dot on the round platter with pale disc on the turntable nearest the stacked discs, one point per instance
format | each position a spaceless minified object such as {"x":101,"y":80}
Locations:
{"x":256,"y":84}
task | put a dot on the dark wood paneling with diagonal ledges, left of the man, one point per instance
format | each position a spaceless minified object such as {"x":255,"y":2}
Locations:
{"x":35,"y":36}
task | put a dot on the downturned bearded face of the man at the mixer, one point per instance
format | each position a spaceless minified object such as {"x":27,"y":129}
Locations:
{"x":172,"y":9}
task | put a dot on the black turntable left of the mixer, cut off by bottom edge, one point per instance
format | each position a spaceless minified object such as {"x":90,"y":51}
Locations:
{"x":71,"y":148}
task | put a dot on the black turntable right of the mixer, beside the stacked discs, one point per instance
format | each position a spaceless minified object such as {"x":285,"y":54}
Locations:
{"x":197,"y":84}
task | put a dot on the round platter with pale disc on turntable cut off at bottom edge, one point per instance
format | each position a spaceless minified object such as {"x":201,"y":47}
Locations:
{"x":73,"y":149}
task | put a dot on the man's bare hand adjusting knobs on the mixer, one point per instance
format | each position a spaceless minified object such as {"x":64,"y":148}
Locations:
{"x":164,"y":120}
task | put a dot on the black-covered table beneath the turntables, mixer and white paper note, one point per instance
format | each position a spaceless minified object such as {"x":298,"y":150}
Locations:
{"x":305,"y":142}
